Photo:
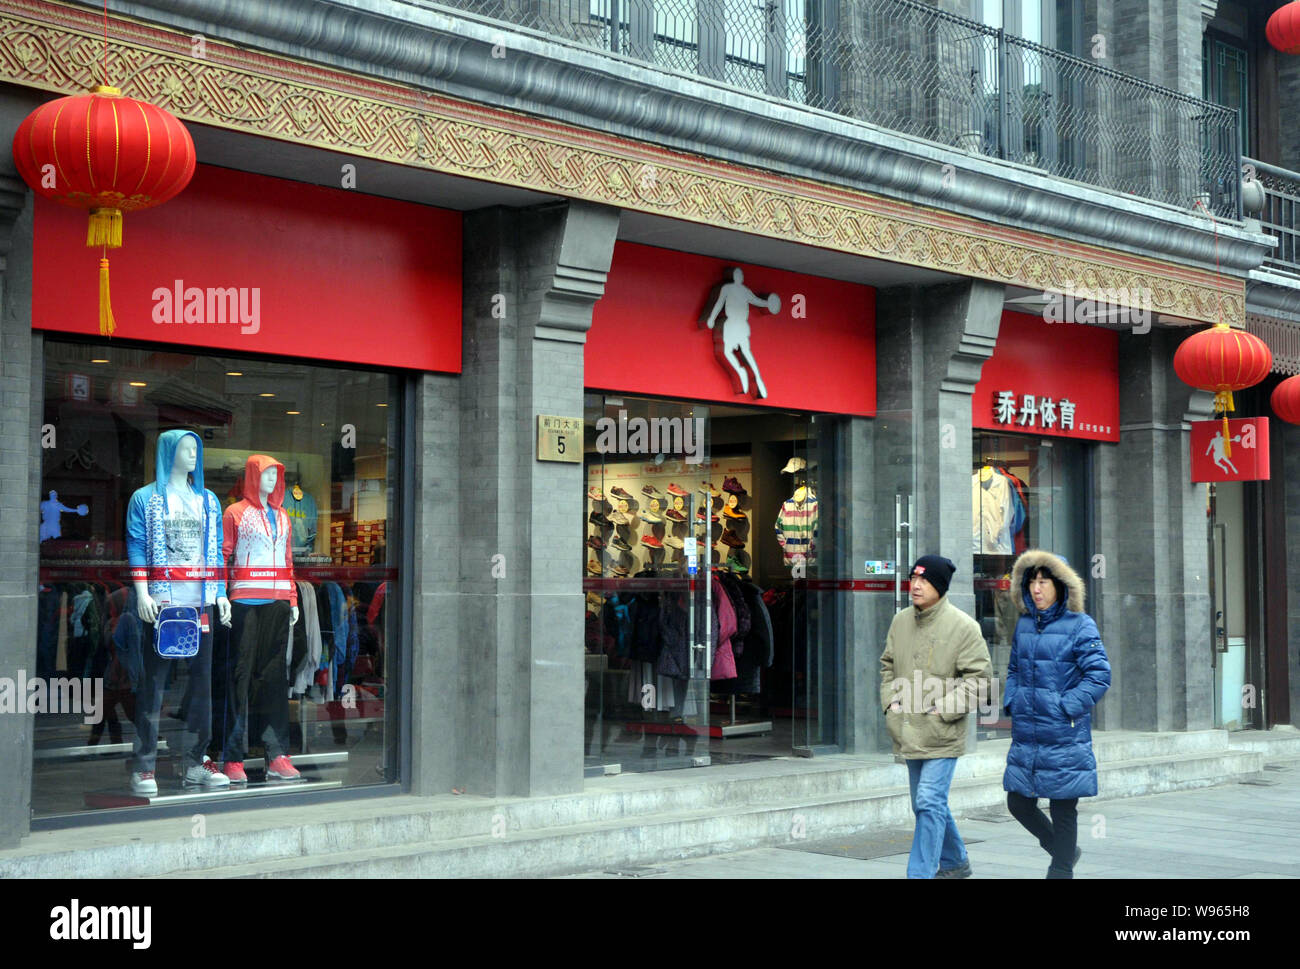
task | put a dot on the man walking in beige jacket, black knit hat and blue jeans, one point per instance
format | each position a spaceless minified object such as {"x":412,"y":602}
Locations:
{"x":933,"y":672}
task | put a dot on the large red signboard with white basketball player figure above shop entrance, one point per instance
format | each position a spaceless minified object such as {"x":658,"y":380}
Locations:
{"x":812,"y":348}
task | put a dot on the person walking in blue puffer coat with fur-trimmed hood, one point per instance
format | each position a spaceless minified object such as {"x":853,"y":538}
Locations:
{"x":1058,"y":674}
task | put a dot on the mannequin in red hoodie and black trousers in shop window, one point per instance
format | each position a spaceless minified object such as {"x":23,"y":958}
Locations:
{"x":257,"y":547}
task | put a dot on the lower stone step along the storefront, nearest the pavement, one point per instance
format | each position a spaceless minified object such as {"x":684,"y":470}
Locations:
{"x":660,"y":837}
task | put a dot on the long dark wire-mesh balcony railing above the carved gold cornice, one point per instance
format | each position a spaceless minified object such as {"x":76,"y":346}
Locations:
{"x":913,"y":68}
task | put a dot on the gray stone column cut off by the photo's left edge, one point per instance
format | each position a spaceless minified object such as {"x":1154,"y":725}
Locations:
{"x":21,"y":396}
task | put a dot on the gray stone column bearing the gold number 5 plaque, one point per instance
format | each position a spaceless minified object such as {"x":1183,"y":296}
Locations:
{"x":531,"y":282}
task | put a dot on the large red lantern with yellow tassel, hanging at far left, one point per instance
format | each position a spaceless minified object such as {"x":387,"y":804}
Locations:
{"x":106,"y":154}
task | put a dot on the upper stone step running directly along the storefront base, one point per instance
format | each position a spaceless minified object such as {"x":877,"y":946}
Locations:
{"x":630,"y":799}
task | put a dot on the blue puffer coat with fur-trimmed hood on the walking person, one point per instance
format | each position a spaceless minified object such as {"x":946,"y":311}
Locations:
{"x":1058,"y":674}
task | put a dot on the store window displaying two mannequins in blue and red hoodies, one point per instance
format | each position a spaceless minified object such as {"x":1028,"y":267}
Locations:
{"x":218,"y":576}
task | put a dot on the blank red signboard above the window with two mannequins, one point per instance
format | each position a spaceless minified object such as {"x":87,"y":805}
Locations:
{"x":257,"y":265}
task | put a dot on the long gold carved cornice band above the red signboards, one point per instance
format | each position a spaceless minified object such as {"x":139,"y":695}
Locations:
{"x":58,"y":49}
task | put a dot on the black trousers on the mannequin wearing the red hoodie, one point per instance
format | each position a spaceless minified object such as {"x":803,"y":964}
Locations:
{"x":257,"y":670}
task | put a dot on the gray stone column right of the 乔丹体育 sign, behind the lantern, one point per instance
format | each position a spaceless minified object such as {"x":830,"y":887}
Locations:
{"x":1151,"y":524}
